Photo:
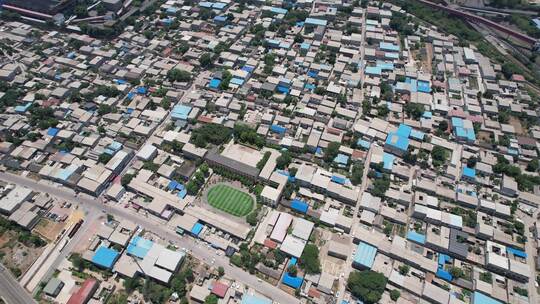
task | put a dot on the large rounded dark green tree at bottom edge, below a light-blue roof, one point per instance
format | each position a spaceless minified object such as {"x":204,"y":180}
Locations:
{"x":367,"y":285}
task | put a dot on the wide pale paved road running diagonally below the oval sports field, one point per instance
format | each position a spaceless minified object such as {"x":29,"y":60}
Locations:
{"x":198,"y":250}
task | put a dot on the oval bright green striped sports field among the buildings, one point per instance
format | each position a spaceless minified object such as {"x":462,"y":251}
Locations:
{"x":230,"y":200}
